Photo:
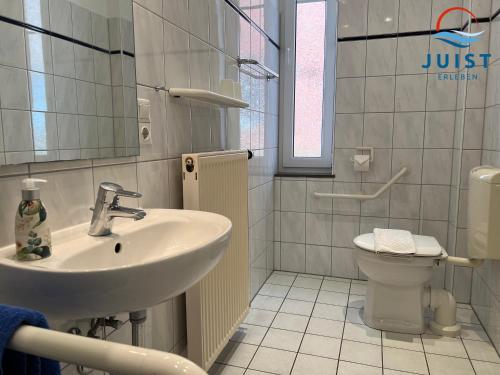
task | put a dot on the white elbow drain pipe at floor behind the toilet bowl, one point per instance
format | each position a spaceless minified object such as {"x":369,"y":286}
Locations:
{"x":443,"y":304}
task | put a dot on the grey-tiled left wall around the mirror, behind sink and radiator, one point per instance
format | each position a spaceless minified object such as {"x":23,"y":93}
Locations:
{"x":178,"y":43}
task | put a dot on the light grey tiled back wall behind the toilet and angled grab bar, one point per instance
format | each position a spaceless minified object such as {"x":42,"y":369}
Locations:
{"x":386,"y":100}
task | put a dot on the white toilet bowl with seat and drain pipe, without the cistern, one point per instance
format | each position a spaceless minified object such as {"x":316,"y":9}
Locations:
{"x":398,"y":288}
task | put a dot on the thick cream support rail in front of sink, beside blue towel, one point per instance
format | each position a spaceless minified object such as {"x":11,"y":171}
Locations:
{"x":99,"y":354}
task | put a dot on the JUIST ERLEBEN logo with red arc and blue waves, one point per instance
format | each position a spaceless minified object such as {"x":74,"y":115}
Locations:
{"x":460,"y":40}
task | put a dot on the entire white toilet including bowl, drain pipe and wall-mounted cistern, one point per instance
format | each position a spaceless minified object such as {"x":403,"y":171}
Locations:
{"x":398,"y":291}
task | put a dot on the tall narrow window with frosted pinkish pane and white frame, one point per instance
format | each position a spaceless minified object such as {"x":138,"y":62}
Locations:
{"x":308,"y":83}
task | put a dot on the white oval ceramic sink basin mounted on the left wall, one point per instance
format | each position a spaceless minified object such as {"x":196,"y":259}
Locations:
{"x":140,"y":265}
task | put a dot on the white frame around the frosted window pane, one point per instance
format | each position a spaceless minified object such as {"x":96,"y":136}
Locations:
{"x":287,"y":101}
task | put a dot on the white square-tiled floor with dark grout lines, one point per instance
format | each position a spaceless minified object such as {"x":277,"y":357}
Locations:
{"x":310,"y":325}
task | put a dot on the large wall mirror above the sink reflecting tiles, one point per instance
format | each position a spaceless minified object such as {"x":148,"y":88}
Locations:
{"x":67,"y":80}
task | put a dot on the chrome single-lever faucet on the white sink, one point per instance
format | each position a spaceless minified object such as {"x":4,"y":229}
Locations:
{"x":107,"y":208}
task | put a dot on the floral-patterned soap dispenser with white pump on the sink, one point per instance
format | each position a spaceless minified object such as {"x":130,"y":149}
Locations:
{"x":32,"y":231}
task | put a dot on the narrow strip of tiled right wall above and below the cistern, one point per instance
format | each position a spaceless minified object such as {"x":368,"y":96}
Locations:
{"x":486,"y":279}
